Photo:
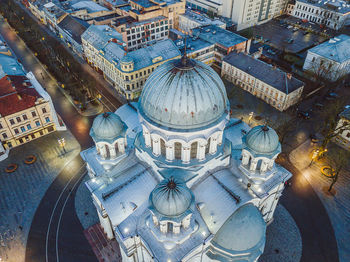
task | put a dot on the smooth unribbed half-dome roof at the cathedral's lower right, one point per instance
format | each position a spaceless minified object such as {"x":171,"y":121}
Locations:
{"x":243,"y":230}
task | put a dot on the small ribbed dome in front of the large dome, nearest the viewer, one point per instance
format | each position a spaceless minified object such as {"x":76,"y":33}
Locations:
{"x":171,"y":197}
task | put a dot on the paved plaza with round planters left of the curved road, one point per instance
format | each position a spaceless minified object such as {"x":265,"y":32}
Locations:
{"x":22,"y":190}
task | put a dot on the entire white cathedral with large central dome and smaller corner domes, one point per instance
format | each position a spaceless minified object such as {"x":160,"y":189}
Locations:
{"x":174,"y":178}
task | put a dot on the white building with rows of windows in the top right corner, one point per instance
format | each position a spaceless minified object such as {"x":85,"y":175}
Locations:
{"x":333,"y":14}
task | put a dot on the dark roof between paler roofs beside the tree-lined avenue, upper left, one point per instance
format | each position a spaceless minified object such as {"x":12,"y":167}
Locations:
{"x":74,"y":26}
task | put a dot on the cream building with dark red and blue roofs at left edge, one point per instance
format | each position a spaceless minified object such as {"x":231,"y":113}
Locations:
{"x":26,"y":109}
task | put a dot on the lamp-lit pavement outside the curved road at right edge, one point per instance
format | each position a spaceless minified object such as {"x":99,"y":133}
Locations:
{"x":338,"y":206}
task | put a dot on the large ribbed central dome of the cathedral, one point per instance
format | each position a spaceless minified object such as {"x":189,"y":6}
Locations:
{"x":184,"y":94}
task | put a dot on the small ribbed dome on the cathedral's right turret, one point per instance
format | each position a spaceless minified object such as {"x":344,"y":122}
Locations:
{"x":262,"y":139}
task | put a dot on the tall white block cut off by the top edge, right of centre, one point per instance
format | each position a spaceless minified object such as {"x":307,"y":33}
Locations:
{"x":244,"y":13}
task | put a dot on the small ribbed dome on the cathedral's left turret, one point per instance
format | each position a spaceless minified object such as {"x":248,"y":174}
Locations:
{"x":107,"y":127}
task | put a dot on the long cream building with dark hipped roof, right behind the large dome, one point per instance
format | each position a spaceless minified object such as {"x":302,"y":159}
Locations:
{"x":277,"y":88}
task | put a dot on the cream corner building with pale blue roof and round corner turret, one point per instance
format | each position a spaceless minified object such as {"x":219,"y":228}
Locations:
{"x":104,"y":49}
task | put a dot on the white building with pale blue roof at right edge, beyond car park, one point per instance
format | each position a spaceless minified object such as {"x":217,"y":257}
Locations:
{"x":331,"y":59}
